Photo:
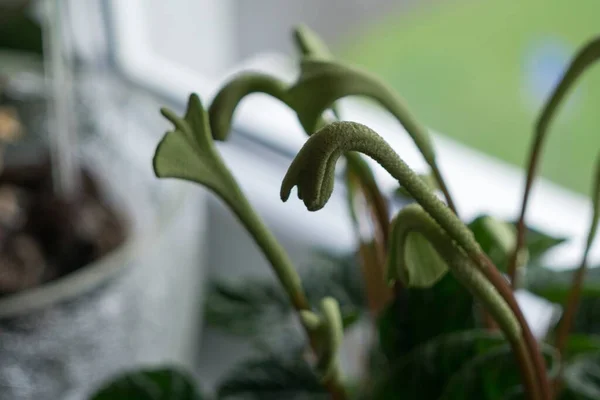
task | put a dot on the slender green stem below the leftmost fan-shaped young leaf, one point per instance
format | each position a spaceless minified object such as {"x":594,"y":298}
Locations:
{"x":287,"y":275}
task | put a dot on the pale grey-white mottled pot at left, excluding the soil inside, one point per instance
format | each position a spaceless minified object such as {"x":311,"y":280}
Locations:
{"x":140,"y":304}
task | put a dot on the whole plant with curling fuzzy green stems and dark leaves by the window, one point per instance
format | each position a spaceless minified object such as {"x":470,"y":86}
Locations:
{"x":440,"y":291}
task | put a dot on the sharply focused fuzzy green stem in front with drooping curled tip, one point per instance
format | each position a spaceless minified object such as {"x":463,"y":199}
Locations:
{"x":316,"y":160}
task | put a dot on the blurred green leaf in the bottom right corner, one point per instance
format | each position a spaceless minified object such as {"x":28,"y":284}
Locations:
{"x":582,"y":378}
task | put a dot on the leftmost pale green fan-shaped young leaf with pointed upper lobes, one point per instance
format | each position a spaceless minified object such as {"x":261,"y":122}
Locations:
{"x":189,"y":153}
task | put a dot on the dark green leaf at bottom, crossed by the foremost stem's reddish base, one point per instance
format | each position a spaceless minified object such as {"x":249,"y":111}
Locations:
{"x":493,"y":375}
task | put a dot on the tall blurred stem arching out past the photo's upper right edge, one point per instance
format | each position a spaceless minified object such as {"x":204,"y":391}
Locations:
{"x":587,"y":56}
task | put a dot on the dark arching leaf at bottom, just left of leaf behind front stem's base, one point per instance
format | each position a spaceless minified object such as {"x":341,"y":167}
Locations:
{"x":423,"y":373}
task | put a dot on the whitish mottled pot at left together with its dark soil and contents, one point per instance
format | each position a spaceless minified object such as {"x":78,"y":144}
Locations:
{"x":84,"y":287}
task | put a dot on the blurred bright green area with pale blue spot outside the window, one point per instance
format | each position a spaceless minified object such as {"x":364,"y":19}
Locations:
{"x":479,"y":71}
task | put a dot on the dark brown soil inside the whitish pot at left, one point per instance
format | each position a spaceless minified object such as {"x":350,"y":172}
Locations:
{"x":43,"y":237}
